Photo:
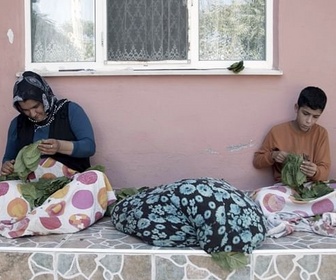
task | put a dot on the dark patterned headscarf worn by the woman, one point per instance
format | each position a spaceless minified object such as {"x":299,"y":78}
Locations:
{"x":31,"y":86}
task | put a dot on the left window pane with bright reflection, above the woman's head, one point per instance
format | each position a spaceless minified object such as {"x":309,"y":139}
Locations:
{"x":62,"y":30}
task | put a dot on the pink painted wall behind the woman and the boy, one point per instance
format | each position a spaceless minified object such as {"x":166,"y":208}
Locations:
{"x":152,"y":130}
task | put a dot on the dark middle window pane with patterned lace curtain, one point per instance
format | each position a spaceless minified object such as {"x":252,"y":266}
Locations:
{"x":147,"y":30}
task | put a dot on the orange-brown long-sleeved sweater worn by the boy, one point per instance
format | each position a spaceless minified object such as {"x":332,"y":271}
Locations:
{"x":284,"y":137}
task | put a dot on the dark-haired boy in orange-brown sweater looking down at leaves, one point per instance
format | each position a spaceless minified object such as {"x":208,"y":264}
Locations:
{"x":300,"y":136}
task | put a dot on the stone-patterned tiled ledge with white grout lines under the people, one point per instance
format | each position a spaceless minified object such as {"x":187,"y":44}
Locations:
{"x":101,"y":252}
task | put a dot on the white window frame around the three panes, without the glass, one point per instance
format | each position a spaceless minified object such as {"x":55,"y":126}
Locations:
{"x":189,"y":66}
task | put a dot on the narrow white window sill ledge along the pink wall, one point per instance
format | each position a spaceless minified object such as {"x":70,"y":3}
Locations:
{"x":156,"y":72}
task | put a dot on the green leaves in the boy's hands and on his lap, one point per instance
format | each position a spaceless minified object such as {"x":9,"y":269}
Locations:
{"x":292,"y":176}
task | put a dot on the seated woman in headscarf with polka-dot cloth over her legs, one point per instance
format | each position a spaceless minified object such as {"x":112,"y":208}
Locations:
{"x":66,"y":143}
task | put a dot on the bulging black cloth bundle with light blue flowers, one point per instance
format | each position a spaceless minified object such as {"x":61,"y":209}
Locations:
{"x":205,"y":212}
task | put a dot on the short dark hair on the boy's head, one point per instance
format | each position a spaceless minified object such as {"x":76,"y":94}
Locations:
{"x":312,"y":97}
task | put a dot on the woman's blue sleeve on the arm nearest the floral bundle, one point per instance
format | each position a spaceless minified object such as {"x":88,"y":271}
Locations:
{"x":85,"y":145}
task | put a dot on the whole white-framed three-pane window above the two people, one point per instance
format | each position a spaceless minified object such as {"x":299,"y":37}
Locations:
{"x":110,"y":35}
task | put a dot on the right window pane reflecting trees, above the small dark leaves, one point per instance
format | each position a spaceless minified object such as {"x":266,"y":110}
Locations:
{"x":232,"y":30}
